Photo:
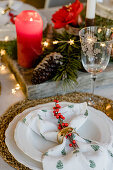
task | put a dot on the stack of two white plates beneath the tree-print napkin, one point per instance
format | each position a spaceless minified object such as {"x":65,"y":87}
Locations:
{"x":27,"y":147}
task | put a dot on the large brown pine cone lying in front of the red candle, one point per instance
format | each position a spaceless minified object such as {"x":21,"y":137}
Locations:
{"x":47,"y":68}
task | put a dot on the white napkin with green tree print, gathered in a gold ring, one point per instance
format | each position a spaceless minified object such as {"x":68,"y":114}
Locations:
{"x":89,"y":154}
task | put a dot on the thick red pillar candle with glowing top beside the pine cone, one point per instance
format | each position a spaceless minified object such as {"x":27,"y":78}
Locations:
{"x":29,"y":28}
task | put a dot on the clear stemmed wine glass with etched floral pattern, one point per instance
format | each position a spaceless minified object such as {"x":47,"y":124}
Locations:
{"x":96,"y":45}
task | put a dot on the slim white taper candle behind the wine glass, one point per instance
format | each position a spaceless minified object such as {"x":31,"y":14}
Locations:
{"x":91,"y":7}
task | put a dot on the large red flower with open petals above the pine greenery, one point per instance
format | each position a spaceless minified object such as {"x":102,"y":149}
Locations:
{"x":67,"y":14}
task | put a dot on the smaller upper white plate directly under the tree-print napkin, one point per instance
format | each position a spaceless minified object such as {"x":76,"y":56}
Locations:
{"x":34,"y":146}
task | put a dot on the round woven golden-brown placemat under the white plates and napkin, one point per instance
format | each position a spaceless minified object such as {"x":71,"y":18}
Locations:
{"x":101,"y":103}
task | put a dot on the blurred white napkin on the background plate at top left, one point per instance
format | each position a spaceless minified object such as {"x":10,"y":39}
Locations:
{"x":4,"y":19}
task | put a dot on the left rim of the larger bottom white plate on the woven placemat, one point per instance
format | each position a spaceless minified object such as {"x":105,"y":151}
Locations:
{"x":14,"y":150}
